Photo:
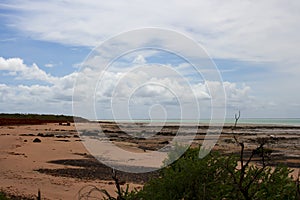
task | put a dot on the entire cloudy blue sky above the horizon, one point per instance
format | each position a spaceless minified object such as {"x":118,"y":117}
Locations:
{"x":46,"y":45}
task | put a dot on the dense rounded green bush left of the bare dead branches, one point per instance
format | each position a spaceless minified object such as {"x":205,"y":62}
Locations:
{"x":190,"y":178}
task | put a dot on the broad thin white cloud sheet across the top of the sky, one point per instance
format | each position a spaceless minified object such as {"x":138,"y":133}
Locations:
{"x":251,"y":30}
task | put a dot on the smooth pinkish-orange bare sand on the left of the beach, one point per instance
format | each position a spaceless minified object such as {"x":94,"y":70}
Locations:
{"x":20,"y":157}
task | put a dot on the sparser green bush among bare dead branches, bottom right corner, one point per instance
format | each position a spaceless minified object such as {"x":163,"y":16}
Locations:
{"x":264,"y":183}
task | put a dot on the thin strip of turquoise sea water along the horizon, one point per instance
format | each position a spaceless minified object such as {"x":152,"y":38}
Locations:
{"x":259,"y":121}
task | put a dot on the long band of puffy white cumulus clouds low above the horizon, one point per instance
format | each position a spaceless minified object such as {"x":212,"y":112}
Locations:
{"x":137,"y":89}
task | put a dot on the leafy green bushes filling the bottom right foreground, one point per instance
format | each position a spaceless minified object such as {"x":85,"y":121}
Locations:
{"x":217,"y":177}
